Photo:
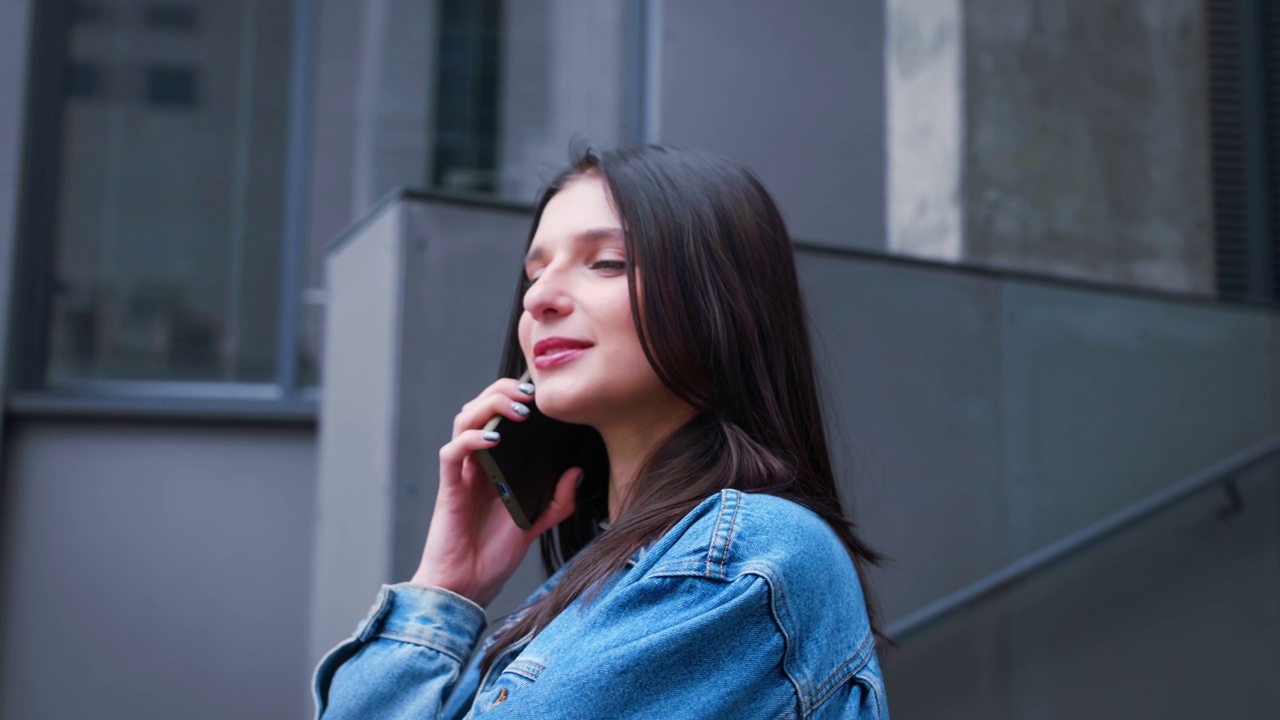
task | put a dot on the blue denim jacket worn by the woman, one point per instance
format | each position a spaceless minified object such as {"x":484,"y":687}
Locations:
{"x":748,"y":608}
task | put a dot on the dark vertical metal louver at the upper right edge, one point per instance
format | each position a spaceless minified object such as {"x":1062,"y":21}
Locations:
{"x":1245,"y":145}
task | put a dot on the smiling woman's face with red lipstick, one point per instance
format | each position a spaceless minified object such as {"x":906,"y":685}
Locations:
{"x":577,"y":332}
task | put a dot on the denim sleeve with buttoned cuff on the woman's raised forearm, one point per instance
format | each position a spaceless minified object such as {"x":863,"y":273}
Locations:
{"x":405,"y":659}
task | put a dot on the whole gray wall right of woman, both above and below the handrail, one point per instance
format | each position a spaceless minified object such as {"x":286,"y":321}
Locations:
{"x":981,"y":420}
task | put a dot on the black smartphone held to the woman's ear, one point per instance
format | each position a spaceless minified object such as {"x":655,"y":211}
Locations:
{"x":531,"y":459}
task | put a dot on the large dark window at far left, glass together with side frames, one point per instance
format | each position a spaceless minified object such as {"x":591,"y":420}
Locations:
{"x":156,"y":239}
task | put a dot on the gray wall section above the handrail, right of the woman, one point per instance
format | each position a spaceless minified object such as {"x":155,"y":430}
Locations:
{"x":1005,"y":414}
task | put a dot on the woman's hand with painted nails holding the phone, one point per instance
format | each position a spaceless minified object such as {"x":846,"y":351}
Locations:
{"x":474,"y":545}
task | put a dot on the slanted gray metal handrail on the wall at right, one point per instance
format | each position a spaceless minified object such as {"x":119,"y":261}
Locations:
{"x":1044,"y":559}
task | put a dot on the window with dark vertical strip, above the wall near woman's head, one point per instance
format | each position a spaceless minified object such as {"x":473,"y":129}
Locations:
{"x":492,"y":101}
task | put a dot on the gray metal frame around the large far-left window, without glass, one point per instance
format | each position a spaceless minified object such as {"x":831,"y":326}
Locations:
{"x":35,"y":256}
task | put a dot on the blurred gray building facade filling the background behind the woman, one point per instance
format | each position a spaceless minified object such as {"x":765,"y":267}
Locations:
{"x":1037,"y":290}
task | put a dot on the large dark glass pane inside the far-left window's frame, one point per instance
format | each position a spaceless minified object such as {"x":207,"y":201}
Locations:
{"x":167,"y":241}
